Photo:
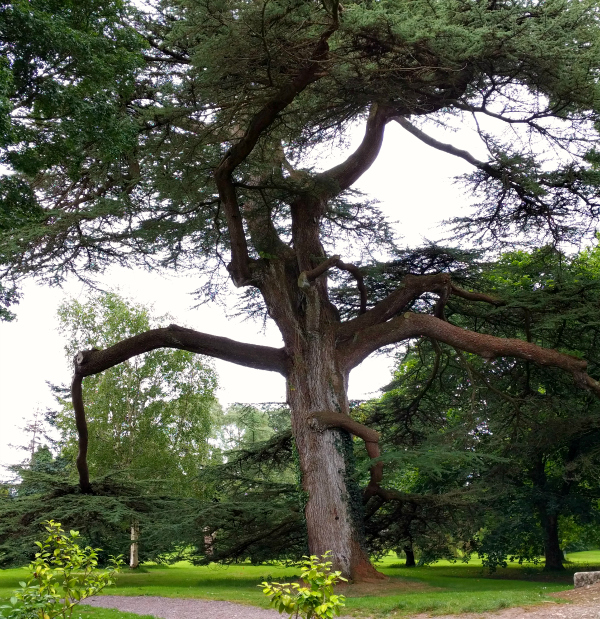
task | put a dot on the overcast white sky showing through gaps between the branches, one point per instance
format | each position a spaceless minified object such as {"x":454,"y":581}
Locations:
{"x":414,"y":184}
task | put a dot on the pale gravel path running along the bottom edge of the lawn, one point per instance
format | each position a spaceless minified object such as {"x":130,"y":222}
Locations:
{"x":585,"y":604}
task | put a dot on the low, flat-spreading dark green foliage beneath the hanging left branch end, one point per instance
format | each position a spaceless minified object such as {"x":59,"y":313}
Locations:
{"x":103,"y":518}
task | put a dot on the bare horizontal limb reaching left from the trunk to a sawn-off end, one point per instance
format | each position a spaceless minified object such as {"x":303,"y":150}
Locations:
{"x":90,"y":362}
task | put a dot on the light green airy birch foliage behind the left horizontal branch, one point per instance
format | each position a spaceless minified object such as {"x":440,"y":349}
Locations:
{"x":150,"y":416}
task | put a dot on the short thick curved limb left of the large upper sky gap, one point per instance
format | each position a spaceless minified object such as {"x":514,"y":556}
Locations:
{"x":344,"y":175}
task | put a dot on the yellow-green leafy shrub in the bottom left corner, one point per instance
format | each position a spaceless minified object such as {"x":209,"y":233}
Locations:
{"x":63,"y":574}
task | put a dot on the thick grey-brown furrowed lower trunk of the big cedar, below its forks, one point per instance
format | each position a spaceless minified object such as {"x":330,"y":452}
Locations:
{"x":333,"y":507}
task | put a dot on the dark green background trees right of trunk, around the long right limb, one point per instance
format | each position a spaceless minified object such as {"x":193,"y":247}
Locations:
{"x":516,"y":445}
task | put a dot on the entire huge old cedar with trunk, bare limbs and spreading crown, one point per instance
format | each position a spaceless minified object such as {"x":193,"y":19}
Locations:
{"x":190,"y":135}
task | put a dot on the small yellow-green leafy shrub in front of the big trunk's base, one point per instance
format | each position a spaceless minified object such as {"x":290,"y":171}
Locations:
{"x":315,"y":600}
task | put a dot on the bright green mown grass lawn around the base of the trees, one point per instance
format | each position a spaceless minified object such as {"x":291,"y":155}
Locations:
{"x":441,"y":588}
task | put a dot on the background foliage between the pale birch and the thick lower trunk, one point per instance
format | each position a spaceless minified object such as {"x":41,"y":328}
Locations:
{"x":254,"y":510}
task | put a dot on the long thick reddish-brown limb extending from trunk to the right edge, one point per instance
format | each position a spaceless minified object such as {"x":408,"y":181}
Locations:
{"x":411,"y":325}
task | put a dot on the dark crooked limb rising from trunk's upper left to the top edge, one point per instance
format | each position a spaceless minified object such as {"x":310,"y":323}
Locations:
{"x":240,"y":261}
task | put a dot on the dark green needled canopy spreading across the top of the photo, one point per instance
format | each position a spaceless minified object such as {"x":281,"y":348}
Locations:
{"x":124,"y":115}
